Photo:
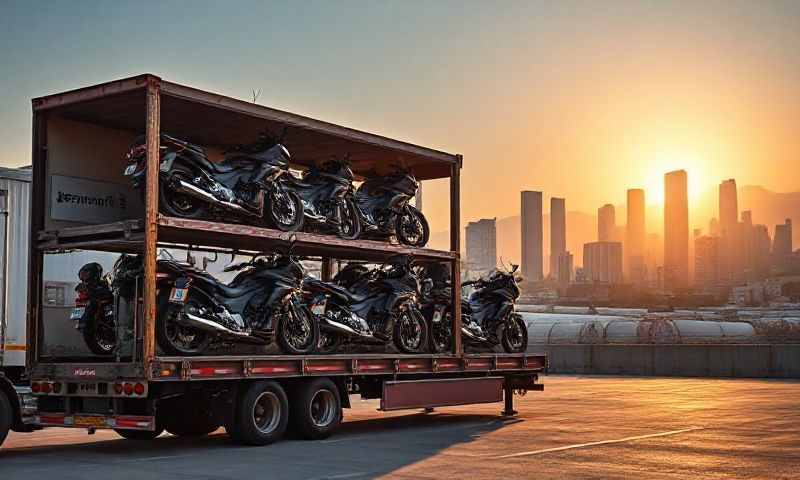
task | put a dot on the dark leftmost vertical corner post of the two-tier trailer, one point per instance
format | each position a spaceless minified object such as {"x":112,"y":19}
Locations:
{"x":36,"y":258}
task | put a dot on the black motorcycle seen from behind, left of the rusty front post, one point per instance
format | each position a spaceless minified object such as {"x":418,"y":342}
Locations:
{"x":94,"y":313}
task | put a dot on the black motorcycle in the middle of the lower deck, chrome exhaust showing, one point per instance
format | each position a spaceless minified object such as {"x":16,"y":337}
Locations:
{"x":379,"y":308}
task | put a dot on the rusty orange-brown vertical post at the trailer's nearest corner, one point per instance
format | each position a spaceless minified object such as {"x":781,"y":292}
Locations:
{"x":152,"y":139}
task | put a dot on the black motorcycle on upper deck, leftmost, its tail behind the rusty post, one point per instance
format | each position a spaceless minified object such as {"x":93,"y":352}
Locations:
{"x":249,"y":185}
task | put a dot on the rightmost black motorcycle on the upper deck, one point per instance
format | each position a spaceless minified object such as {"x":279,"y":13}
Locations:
{"x":383,"y":203}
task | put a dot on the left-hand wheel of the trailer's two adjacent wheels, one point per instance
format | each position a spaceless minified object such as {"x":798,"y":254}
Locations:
{"x":262,"y":415}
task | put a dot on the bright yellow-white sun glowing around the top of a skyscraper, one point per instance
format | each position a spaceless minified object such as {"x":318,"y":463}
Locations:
{"x":668,"y":161}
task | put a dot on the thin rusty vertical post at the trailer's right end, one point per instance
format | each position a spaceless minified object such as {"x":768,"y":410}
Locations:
{"x":455,"y":246}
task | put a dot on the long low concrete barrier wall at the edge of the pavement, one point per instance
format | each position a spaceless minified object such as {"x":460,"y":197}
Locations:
{"x":779,"y":361}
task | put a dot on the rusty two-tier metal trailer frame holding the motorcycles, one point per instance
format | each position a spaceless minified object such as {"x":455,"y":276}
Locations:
{"x":146,"y":102}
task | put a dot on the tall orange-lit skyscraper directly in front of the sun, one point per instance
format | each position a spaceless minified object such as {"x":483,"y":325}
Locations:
{"x":676,"y":230}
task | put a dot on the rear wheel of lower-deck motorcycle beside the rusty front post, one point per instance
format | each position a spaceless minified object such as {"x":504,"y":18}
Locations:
{"x":177,"y":339}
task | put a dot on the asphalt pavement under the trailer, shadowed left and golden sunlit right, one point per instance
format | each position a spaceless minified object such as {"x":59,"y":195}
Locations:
{"x":599,"y":427}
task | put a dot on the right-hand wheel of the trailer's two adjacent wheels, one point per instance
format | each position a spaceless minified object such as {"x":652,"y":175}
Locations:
{"x":318,"y":409}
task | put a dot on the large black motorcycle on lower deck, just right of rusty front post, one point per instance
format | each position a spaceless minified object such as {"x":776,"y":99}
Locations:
{"x":260,"y":305}
